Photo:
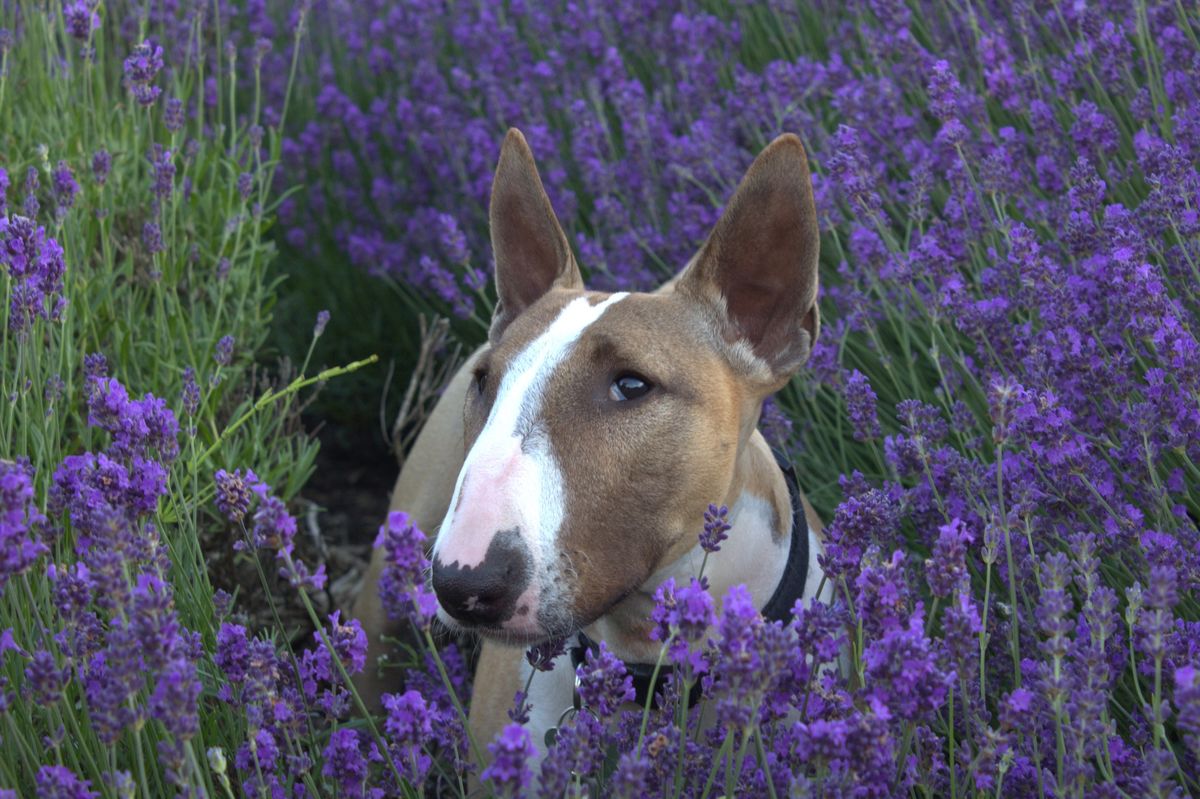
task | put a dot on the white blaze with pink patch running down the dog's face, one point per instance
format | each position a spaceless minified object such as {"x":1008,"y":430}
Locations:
{"x":511,"y":478}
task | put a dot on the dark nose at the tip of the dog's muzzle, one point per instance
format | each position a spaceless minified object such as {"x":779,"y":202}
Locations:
{"x":487,"y":594}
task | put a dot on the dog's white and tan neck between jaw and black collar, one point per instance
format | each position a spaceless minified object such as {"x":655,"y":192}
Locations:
{"x":754,"y":555}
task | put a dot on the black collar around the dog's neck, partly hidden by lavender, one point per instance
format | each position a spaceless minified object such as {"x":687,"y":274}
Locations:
{"x":778,"y":608}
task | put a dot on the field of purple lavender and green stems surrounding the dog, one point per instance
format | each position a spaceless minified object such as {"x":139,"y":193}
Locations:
{"x":212,"y":211}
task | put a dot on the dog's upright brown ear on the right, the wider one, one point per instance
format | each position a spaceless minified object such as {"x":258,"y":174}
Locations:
{"x":759,"y":267}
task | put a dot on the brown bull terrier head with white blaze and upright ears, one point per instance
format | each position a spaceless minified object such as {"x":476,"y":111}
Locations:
{"x":601,"y":426}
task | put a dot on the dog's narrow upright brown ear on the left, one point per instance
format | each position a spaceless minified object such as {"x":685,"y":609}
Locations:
{"x":531,"y":250}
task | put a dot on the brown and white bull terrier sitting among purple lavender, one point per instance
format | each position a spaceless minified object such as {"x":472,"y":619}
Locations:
{"x":568,"y":465}
